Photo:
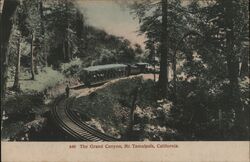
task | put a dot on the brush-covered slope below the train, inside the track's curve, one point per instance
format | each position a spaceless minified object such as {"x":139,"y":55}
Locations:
{"x":126,"y":109}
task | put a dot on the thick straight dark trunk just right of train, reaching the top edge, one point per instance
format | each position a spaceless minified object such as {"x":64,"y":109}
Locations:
{"x":163,"y":77}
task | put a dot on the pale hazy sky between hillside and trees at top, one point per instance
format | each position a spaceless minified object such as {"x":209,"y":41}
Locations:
{"x":114,"y":18}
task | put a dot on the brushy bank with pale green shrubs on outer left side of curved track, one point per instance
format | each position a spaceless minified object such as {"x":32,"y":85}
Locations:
{"x":26,"y":113}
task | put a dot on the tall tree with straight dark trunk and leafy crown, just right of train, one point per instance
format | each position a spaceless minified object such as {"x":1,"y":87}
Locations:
{"x":163,"y":22}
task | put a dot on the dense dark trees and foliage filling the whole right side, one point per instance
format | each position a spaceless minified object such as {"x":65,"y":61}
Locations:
{"x":206,"y":48}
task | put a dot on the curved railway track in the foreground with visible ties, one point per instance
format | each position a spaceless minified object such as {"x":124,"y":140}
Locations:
{"x":69,"y":122}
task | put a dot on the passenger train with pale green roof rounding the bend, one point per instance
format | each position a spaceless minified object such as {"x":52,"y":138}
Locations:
{"x":103,"y":73}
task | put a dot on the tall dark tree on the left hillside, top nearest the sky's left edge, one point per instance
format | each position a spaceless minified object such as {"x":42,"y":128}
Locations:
{"x":63,"y":26}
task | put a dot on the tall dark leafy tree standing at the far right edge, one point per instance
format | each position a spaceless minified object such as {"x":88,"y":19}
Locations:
{"x":225,"y":26}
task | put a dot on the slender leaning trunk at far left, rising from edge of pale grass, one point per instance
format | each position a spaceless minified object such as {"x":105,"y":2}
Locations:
{"x":16,"y":85}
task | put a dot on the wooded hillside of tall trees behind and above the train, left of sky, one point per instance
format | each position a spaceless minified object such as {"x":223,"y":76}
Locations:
{"x":50,"y":33}
